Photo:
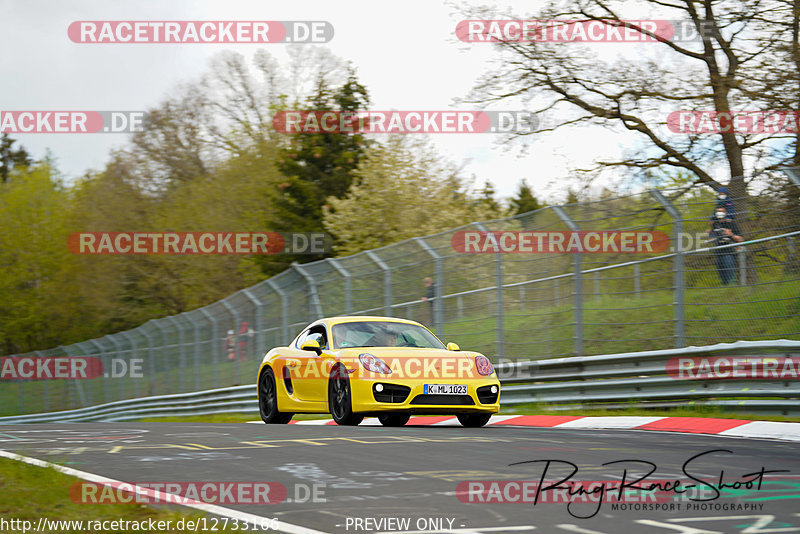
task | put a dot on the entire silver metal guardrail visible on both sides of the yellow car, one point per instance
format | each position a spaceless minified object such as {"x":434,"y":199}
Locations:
{"x":627,"y":380}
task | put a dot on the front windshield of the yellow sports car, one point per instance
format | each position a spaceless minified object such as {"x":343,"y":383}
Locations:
{"x":383,"y":334}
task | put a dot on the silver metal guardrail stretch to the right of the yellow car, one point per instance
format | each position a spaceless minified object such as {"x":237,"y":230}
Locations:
{"x":641,"y":380}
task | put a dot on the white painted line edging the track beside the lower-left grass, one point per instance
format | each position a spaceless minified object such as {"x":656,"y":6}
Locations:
{"x":162,"y":496}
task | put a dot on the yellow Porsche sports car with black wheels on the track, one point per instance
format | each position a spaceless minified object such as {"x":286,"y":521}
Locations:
{"x":352,"y":367}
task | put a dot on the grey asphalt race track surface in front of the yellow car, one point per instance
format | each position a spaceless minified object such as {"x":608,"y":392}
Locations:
{"x":412,"y":474}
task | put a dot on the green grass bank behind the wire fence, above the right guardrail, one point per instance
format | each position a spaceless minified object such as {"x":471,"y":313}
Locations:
{"x":614,"y":324}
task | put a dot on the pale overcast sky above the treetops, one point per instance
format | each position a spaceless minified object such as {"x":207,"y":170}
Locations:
{"x":406,"y":55}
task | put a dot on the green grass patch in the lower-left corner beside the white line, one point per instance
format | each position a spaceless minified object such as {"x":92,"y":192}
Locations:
{"x":31,"y":492}
